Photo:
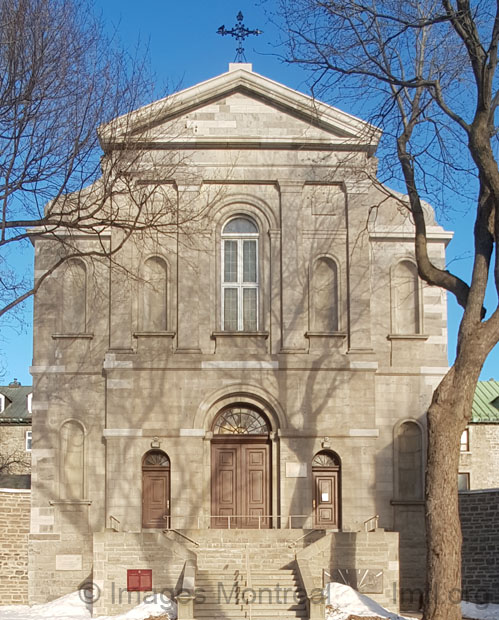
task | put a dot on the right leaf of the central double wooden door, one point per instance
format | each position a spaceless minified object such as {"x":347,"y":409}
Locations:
{"x":256,"y":485}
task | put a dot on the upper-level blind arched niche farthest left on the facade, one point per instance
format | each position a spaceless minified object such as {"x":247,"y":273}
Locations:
{"x":74,"y":297}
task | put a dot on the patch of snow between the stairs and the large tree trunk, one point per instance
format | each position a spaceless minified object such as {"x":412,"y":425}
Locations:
{"x":343,"y":601}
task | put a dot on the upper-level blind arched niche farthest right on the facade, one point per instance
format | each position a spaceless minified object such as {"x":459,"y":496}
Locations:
{"x":405,"y":299}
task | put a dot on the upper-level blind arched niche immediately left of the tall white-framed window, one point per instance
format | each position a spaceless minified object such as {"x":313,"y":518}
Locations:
{"x":154,"y":295}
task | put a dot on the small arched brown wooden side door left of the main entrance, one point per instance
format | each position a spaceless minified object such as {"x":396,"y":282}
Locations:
{"x":155,"y":490}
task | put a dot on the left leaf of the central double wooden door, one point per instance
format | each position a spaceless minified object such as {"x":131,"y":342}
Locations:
{"x":224,"y":484}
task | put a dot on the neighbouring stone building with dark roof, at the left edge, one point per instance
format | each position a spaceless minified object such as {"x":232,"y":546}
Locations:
{"x":15,"y":436}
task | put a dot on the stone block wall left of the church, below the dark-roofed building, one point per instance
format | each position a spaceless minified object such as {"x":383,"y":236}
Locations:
{"x":14,"y":531}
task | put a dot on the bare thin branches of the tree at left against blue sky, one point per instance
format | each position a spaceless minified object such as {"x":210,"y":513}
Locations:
{"x":61,"y":78}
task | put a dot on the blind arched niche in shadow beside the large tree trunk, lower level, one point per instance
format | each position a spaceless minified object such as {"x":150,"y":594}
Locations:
{"x":409,"y":461}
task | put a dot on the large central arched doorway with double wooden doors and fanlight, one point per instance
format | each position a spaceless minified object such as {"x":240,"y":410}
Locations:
{"x":241,"y":469}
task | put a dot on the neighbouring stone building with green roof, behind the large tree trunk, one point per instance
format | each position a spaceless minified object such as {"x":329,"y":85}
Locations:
{"x":479,"y":460}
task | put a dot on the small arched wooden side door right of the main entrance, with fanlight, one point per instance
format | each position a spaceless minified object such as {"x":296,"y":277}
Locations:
{"x":326,"y":468}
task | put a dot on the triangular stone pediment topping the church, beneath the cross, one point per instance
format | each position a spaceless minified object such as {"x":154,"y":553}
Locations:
{"x":240,"y":108}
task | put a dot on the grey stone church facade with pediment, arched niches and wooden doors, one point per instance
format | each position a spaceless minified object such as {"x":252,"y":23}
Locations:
{"x":266,"y":366}
